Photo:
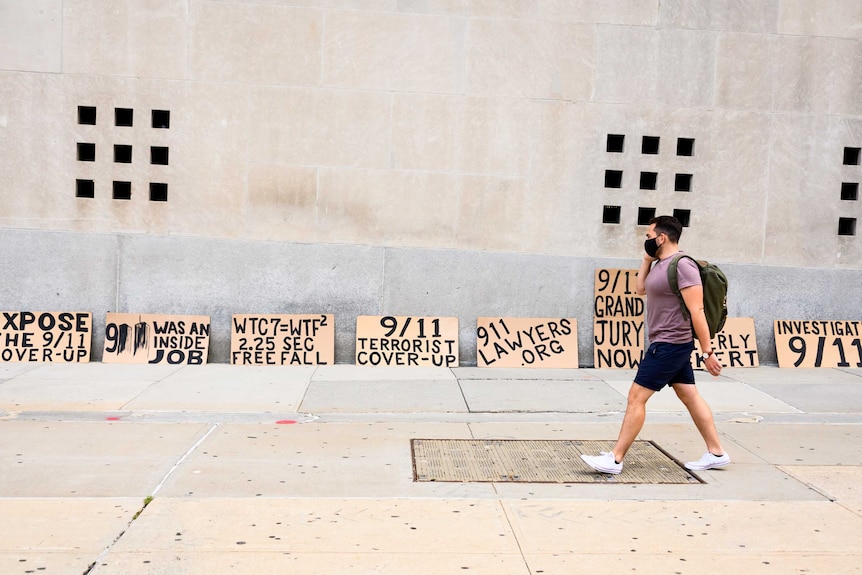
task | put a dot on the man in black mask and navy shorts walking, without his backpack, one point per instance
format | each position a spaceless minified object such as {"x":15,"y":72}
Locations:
{"x":667,"y":361}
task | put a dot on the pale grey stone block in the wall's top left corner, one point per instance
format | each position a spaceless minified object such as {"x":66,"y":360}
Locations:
{"x":31,"y":35}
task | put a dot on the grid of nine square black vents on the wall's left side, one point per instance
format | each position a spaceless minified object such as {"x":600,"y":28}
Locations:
{"x":123,"y":153}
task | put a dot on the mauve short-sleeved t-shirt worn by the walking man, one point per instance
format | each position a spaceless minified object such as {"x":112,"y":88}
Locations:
{"x":665,"y":322}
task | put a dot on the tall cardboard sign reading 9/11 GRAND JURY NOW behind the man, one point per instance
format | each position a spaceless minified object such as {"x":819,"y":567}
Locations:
{"x":618,"y":324}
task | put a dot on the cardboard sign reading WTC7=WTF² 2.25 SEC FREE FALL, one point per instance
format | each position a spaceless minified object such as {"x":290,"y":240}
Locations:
{"x":282,"y":339}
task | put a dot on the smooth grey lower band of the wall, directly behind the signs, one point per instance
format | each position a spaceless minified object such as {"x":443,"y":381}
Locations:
{"x":107,"y":272}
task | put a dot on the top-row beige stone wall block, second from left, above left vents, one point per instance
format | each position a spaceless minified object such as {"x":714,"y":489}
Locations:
{"x":138,"y":38}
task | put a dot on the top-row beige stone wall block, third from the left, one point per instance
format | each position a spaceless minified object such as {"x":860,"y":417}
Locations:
{"x":257,"y":44}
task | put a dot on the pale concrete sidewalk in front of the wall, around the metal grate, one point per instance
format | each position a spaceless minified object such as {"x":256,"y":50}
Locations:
{"x":308,"y":470}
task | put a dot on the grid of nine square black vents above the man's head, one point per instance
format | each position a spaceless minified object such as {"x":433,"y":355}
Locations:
{"x":647,"y":180}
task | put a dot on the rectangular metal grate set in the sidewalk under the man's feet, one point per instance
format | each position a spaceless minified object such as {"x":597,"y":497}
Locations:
{"x":539,"y":461}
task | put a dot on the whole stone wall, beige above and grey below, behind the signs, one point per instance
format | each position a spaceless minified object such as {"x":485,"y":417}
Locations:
{"x":417,"y":143}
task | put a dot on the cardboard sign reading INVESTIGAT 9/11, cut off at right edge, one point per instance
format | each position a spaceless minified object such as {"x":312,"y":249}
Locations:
{"x":818,"y":343}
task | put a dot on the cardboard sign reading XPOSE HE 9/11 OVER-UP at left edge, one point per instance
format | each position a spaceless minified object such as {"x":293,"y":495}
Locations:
{"x":45,"y":336}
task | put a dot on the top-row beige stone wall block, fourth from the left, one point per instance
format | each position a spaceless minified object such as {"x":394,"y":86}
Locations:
{"x":400,"y":52}
